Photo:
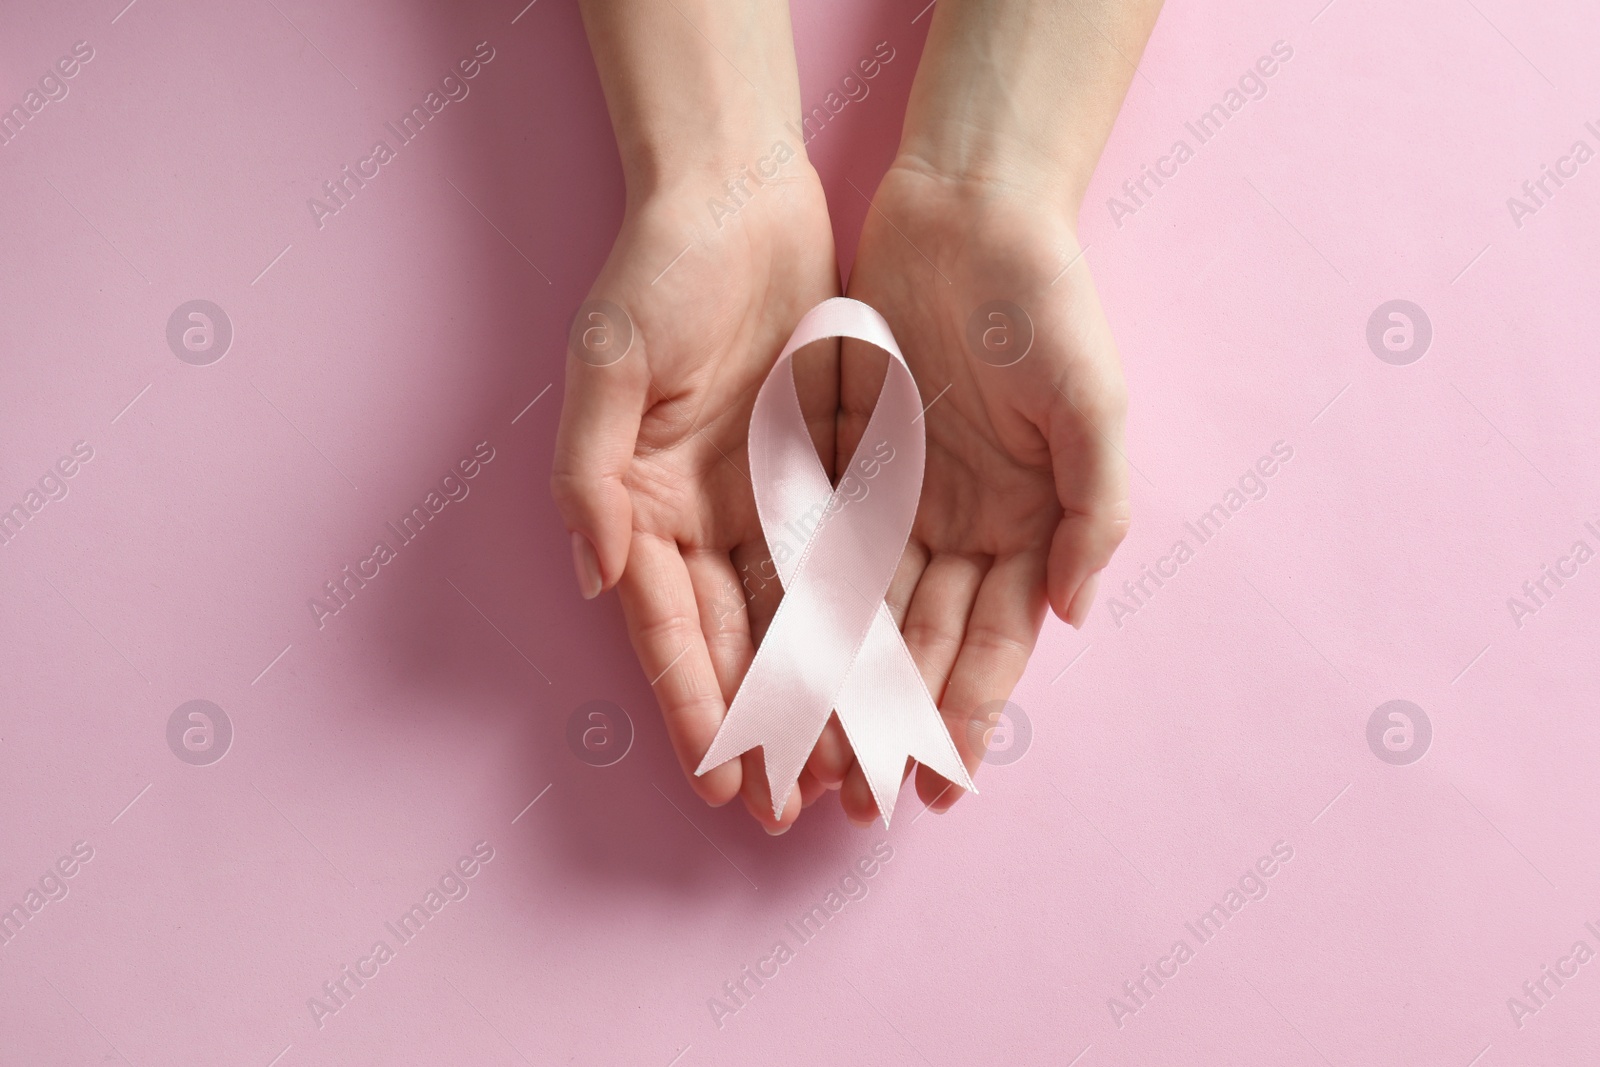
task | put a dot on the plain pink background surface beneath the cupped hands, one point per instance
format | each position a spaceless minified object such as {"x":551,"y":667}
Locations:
{"x":1177,"y":741}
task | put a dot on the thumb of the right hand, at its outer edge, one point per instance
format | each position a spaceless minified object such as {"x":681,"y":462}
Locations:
{"x":1092,"y":484}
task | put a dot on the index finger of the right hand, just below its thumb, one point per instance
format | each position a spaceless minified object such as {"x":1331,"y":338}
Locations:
{"x":1007,"y":613}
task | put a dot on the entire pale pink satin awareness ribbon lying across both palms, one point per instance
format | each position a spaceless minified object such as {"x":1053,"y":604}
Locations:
{"x":833,"y":644}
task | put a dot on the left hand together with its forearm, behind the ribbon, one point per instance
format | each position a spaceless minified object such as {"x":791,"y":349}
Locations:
{"x":724,"y":247}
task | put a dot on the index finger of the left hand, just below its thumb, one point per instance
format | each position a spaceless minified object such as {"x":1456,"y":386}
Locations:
{"x":663,"y":623}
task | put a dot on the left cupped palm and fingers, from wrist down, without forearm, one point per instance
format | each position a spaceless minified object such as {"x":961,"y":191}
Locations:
{"x":652,"y":471}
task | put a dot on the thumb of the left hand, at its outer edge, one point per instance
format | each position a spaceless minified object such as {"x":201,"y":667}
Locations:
{"x":594,"y":449}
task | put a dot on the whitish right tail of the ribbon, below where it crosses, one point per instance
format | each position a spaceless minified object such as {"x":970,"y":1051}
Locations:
{"x":889,"y":716}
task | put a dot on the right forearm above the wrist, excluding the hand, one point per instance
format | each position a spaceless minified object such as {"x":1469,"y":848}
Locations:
{"x":1025,"y":92}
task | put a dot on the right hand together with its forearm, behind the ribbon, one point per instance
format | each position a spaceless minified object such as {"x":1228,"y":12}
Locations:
{"x":970,"y":252}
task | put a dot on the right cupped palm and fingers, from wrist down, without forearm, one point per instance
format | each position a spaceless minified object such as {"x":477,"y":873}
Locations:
{"x":1026,"y":490}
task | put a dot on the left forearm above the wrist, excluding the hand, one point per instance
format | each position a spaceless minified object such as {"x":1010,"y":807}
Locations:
{"x":697,"y":89}
